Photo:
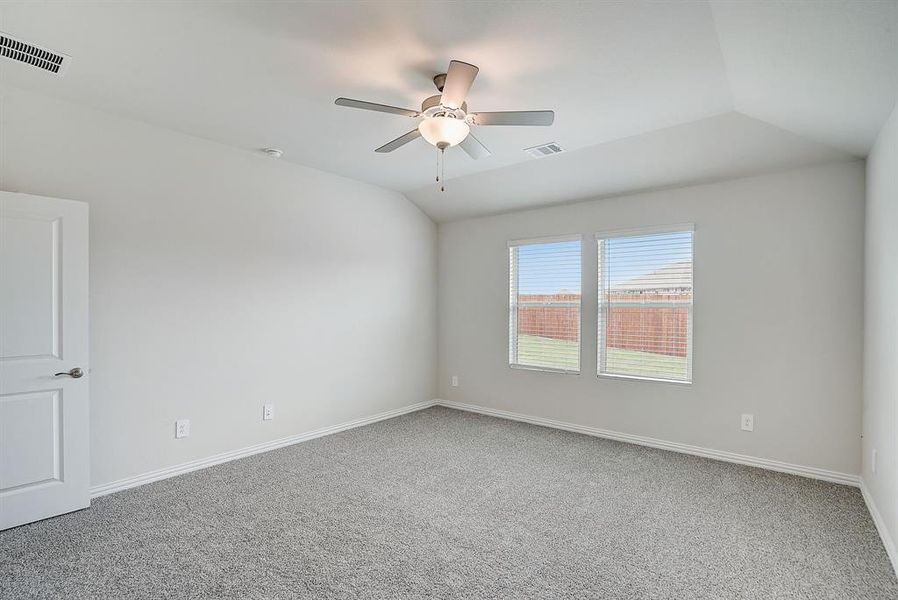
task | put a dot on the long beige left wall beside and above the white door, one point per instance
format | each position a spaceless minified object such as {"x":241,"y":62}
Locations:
{"x":222,"y":280}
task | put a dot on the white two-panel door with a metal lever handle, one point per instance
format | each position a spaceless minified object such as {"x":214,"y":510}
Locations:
{"x":44,"y":412}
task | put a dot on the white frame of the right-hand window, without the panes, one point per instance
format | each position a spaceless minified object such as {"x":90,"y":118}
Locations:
{"x":601,"y":307}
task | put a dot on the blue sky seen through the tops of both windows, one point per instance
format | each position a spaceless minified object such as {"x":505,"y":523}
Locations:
{"x":555,"y":267}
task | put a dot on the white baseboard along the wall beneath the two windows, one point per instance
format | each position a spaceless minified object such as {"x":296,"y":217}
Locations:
{"x":742,"y":459}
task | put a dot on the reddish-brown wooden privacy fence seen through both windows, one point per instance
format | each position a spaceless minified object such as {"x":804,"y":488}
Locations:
{"x":647,"y":322}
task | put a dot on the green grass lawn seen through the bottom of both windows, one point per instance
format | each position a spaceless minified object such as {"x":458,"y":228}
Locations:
{"x":559,"y":354}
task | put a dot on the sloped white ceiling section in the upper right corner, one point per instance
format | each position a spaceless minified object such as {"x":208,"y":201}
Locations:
{"x":827,"y":70}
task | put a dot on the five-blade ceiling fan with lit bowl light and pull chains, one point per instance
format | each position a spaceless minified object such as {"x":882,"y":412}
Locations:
{"x":445,"y":120}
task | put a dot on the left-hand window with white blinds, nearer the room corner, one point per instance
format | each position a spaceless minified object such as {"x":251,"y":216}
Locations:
{"x":544,"y":304}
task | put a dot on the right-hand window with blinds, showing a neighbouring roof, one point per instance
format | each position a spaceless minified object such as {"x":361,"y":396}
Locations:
{"x":645,"y":304}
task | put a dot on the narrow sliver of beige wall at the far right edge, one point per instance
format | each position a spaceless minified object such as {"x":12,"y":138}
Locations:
{"x":881,"y":327}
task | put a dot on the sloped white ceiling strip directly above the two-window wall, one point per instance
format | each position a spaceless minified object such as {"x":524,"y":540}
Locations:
{"x":692,"y":153}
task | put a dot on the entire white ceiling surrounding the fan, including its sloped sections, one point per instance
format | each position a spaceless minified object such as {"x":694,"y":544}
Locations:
{"x":254,"y":74}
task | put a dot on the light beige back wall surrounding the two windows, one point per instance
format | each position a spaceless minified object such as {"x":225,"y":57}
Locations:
{"x":782,"y":252}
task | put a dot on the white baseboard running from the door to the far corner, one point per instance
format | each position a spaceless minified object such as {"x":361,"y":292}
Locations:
{"x":202,"y":463}
